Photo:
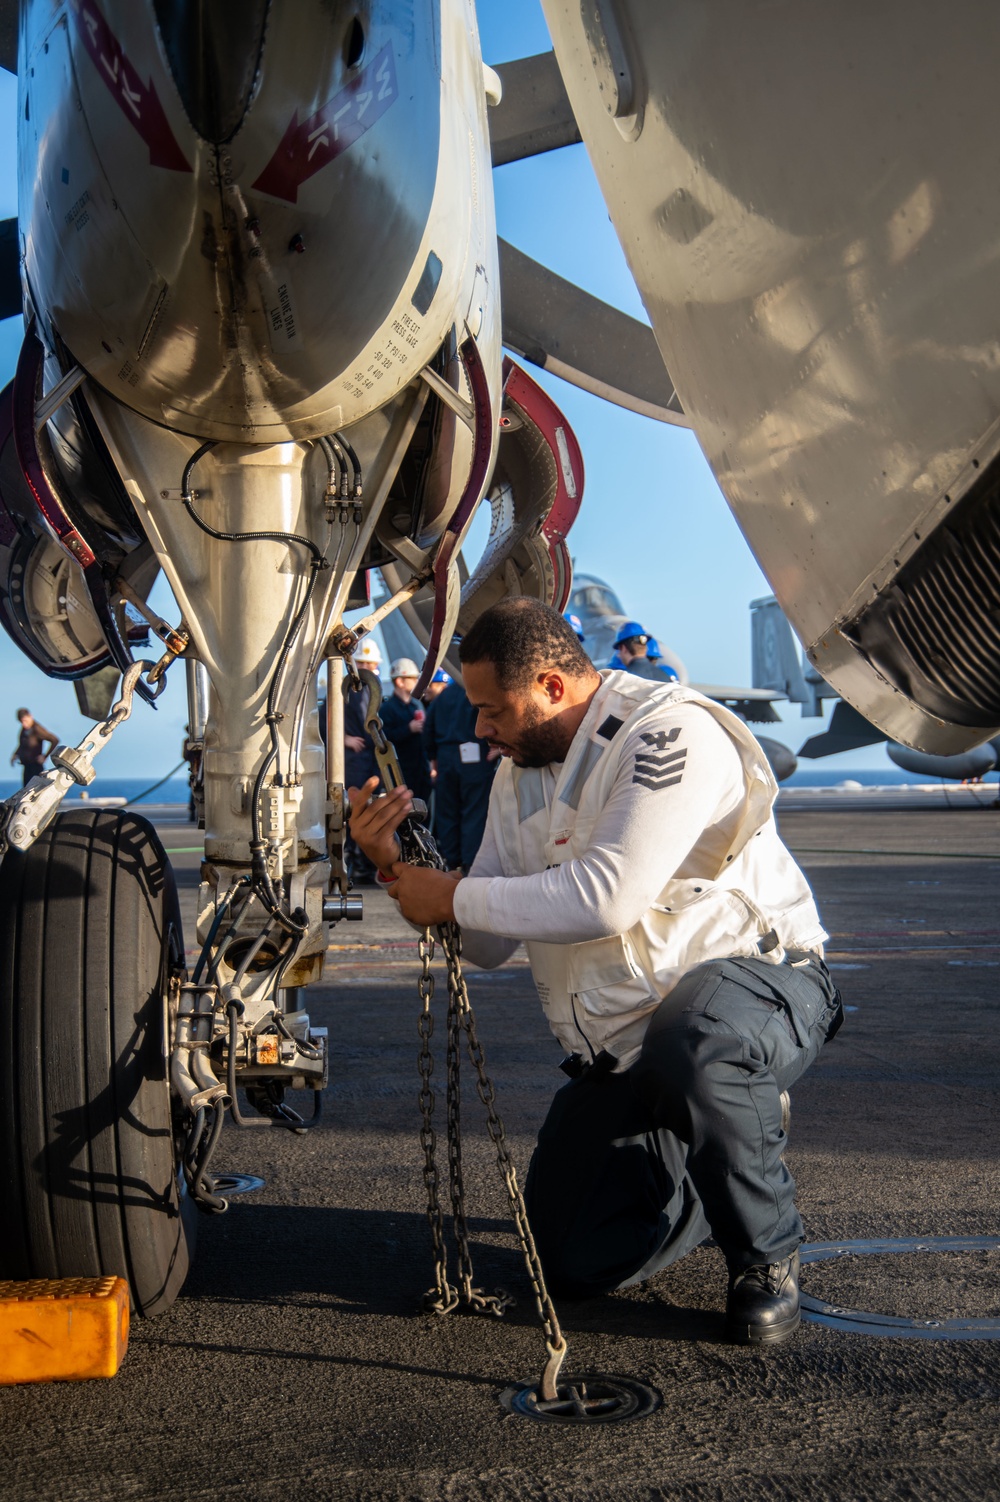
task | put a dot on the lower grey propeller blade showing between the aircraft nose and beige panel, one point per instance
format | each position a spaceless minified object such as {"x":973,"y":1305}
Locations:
{"x":553,"y":324}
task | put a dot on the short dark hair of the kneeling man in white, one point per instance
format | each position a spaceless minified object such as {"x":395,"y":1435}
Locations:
{"x":523,"y":638}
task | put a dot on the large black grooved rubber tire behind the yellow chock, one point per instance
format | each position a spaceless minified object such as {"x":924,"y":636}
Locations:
{"x":89,"y":935}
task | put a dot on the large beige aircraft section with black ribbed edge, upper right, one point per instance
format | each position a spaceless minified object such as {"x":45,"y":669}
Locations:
{"x":824,"y":277}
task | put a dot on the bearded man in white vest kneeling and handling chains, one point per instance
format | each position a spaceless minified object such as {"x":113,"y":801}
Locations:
{"x":676,"y":950}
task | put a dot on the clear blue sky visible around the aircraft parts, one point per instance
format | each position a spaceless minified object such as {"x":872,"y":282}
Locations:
{"x":654,"y":522}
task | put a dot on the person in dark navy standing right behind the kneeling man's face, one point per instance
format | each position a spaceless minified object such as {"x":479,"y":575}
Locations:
{"x":465,"y":770}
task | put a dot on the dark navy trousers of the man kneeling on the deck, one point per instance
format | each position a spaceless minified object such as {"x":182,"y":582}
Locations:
{"x":636,"y":1169}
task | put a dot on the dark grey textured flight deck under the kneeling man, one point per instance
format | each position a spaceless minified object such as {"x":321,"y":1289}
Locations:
{"x":297,"y":1365}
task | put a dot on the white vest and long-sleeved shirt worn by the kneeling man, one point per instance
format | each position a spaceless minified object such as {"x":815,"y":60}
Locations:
{"x":649,"y":851}
